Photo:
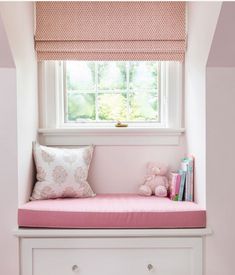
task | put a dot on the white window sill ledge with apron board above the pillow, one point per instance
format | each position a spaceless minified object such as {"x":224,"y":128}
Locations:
{"x":109,"y":136}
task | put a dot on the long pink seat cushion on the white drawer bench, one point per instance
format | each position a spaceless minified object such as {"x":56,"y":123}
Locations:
{"x":112,"y":211}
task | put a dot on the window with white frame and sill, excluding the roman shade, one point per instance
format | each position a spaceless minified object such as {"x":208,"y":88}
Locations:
{"x":81,"y":98}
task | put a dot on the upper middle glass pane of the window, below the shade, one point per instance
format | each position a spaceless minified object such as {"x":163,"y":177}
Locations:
{"x":111,"y":75}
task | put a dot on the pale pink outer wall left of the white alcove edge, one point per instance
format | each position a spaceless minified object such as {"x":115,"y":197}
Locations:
{"x":8,"y":159}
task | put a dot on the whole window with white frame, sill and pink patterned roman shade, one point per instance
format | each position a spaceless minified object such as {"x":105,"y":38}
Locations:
{"x":81,"y":101}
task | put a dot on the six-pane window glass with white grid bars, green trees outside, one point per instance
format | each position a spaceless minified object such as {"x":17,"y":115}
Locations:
{"x":110,"y":91}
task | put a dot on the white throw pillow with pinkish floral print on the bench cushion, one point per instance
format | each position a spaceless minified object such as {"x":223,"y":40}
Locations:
{"x":61,"y":173}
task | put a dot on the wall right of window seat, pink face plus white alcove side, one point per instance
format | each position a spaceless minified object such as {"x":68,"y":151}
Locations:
{"x":210,"y":116}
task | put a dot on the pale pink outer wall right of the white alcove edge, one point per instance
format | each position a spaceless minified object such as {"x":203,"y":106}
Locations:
{"x":220,"y":148}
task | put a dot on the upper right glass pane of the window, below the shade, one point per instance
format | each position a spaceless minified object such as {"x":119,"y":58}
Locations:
{"x":143,"y":75}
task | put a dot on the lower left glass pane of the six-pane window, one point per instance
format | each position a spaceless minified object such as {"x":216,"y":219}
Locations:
{"x":81,"y":107}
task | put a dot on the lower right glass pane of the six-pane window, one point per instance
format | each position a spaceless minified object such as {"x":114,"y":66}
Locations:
{"x":143,"y":106}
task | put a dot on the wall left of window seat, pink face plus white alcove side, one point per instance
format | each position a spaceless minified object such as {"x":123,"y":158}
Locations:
{"x":18,"y":121}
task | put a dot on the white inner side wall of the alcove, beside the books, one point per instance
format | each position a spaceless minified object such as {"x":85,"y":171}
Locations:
{"x":202,"y":19}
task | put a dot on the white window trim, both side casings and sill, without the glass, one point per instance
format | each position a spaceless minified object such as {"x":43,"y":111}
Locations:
{"x":53,"y":132}
